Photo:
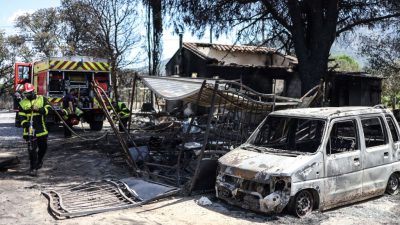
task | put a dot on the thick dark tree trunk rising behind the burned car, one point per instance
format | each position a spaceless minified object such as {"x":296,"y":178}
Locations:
{"x":313,"y":30}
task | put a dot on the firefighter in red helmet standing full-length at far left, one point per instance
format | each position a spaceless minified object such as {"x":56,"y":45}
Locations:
{"x":32,"y":111}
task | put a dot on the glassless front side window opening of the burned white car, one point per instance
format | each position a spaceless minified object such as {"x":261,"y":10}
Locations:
{"x":343,"y":137}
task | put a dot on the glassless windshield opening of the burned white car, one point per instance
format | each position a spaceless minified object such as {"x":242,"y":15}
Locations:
{"x":289,"y":134}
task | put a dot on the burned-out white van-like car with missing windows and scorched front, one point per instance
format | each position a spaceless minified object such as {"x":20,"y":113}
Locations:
{"x":313,"y":158}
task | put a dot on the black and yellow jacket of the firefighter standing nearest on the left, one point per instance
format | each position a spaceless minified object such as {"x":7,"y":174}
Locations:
{"x":26,"y":112}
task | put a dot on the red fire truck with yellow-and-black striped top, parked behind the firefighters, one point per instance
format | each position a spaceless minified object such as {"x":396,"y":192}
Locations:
{"x":55,"y":77}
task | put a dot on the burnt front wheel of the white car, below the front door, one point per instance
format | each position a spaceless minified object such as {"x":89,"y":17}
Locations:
{"x":302,"y":204}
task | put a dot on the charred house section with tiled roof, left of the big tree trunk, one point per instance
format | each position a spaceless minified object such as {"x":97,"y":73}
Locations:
{"x":263,"y":69}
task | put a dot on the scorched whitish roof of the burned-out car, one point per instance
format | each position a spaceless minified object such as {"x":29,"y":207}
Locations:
{"x":329,"y":112}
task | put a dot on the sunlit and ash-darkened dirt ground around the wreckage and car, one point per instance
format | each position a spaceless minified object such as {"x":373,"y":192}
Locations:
{"x":72,"y":161}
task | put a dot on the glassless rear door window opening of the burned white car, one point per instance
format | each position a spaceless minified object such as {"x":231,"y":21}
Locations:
{"x":374,"y":134}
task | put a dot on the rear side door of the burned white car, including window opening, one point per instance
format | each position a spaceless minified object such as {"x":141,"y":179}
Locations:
{"x":377,"y":156}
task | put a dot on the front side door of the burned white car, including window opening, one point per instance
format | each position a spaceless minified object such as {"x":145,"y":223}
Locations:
{"x":343,"y":162}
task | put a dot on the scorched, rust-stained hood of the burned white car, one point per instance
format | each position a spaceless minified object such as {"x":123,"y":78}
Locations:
{"x":259,"y":166}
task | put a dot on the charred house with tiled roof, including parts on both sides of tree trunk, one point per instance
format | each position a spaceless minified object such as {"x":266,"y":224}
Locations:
{"x":265,"y":70}
